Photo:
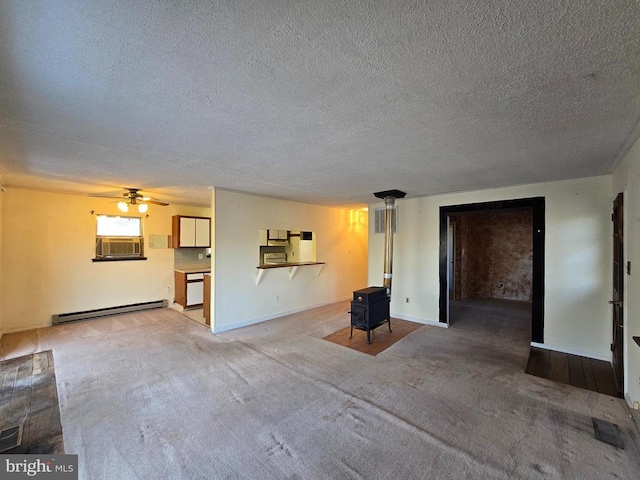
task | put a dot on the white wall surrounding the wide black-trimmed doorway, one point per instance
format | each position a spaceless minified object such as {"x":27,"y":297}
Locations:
{"x":577,"y":259}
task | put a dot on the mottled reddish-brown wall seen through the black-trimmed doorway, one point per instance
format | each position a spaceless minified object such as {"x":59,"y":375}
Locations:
{"x":494,"y":254}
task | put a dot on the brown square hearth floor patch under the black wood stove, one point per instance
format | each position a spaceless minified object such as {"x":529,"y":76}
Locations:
{"x":381,"y":338}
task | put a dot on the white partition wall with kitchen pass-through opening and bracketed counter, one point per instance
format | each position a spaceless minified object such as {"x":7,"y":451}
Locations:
{"x":341,"y":243}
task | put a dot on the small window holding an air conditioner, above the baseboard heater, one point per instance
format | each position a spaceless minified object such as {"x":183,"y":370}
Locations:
{"x":119,"y":238}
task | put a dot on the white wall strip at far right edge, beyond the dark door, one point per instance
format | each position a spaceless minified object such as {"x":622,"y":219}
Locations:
{"x":626,"y":179}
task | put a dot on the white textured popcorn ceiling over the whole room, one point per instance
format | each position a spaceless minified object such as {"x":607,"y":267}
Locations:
{"x":316,"y":101}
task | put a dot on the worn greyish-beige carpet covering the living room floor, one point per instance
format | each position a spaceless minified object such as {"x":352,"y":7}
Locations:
{"x":155,"y":395}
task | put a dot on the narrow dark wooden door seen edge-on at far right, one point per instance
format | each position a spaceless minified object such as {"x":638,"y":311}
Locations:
{"x":617,"y":346}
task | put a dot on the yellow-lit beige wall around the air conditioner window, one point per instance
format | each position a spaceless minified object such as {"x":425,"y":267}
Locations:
{"x":47,"y":247}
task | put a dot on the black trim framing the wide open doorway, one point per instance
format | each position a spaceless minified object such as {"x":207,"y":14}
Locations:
{"x":537,"y":206}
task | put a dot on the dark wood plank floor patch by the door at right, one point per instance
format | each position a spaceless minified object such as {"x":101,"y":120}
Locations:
{"x":581,"y":372}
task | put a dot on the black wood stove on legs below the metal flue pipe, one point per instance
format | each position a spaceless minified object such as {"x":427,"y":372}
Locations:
{"x":370,"y":309}
